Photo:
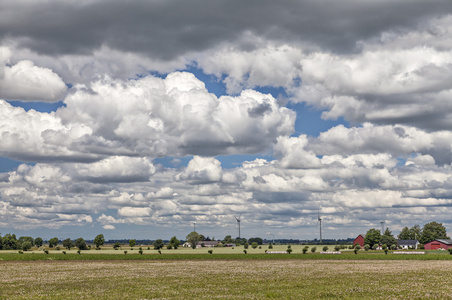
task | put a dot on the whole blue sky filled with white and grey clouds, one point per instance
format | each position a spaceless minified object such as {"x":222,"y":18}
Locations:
{"x":136,"y":119}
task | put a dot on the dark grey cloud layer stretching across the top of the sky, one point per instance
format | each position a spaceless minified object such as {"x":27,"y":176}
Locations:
{"x":166,"y":29}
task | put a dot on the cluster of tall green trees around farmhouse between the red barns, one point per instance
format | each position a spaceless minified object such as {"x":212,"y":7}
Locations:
{"x":430,"y":232}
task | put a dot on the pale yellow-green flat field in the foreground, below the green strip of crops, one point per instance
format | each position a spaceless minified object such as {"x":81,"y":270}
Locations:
{"x":226,"y":279}
